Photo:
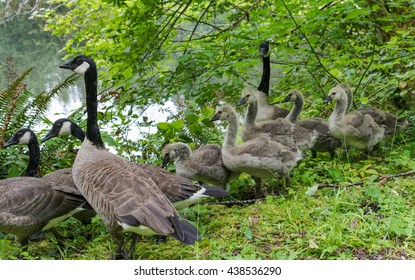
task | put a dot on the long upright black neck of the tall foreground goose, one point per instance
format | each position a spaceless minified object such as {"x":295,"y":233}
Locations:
{"x":92,"y":130}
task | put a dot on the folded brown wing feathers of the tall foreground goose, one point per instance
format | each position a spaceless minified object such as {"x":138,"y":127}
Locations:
{"x":121,"y":192}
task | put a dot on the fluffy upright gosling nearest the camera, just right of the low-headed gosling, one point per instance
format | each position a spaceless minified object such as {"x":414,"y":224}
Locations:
{"x":260,"y":157}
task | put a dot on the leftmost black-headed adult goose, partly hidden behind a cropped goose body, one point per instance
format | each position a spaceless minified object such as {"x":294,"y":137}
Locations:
{"x":26,"y":136}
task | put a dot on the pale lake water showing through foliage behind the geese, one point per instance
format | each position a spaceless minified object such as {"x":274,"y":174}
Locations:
{"x":29,"y":45}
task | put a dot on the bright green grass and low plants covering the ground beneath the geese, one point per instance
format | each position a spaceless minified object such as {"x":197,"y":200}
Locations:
{"x":374,"y":220}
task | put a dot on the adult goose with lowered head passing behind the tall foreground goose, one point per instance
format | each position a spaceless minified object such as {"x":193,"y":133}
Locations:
{"x":180,"y":191}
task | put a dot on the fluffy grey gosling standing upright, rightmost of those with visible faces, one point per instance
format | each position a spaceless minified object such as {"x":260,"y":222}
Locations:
{"x":356,"y":129}
